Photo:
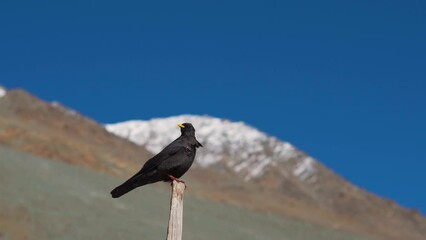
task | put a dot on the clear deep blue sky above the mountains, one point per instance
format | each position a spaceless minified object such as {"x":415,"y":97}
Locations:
{"x":345,"y":81}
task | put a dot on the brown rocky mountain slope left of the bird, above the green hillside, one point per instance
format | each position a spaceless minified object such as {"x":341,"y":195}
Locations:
{"x":56,"y":132}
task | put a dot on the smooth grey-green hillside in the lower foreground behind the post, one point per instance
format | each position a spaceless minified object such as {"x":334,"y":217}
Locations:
{"x":43,"y":199}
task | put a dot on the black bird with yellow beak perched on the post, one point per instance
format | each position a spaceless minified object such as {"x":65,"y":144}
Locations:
{"x":168,"y":165}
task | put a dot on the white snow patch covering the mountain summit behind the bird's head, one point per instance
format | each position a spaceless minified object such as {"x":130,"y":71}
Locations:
{"x":237,"y":146}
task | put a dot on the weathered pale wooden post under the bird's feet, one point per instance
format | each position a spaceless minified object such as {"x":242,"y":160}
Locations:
{"x":174,"y":231}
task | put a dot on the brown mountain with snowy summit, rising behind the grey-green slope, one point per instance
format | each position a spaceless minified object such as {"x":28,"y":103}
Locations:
{"x":239,"y":165}
